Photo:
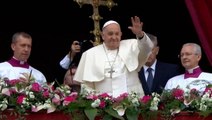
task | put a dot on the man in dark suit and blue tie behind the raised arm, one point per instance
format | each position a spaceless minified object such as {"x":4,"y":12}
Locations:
{"x":160,"y":71}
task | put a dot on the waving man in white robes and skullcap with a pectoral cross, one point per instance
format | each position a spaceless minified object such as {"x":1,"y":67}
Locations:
{"x":113,"y":66}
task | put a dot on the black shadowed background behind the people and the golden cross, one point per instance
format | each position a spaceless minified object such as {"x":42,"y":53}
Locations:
{"x":53,"y":24}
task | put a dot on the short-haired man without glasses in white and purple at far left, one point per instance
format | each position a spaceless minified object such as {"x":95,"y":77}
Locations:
{"x":17,"y":67}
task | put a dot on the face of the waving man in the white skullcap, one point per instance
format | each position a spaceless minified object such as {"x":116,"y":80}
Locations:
{"x":111,"y":36}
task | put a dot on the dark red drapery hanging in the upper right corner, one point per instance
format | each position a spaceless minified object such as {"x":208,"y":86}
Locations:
{"x":201,"y":14}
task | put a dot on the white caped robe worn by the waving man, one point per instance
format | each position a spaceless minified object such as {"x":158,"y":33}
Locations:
{"x":95,"y":64}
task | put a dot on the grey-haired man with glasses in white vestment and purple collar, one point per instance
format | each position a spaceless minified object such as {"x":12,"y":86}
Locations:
{"x":190,"y":56}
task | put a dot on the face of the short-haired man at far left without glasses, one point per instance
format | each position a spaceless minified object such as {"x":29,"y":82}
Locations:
{"x":21,"y":47}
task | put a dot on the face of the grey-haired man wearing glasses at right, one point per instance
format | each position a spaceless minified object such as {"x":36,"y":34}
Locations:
{"x":190,"y":56}
